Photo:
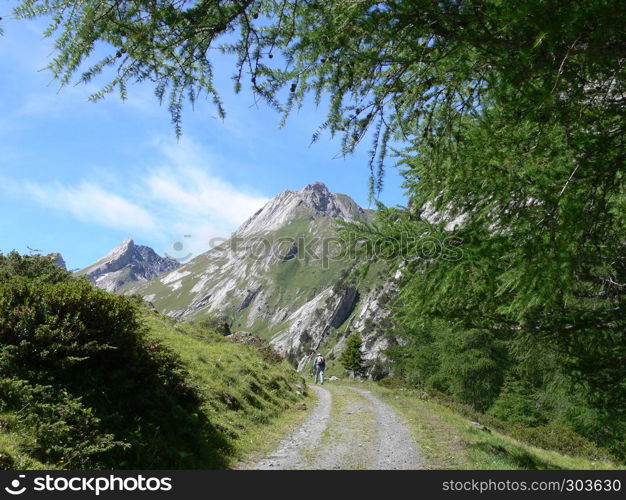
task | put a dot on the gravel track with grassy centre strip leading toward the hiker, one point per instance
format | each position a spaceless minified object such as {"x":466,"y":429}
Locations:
{"x":348,"y":428}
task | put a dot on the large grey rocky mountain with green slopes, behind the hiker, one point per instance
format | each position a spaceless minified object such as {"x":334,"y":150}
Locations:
{"x":279,"y":277}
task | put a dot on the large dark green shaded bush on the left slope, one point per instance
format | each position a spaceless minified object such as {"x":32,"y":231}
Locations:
{"x":83,"y":382}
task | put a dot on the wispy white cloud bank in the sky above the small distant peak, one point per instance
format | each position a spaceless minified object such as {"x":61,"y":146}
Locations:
{"x":173,"y":205}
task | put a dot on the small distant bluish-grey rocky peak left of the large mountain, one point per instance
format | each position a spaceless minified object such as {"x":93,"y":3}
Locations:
{"x":128,"y":263}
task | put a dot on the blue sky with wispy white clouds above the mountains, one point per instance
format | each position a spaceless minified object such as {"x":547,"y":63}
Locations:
{"x":78,"y":177}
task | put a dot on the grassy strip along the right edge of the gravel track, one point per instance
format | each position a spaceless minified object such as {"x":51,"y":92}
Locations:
{"x":447,"y":441}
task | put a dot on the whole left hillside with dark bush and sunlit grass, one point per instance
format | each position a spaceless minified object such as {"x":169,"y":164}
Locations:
{"x":94,"y":380}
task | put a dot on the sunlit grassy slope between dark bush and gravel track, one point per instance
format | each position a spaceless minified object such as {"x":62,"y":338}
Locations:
{"x":244,"y":396}
